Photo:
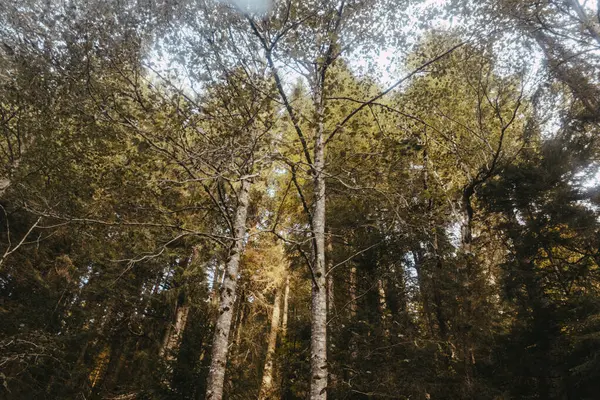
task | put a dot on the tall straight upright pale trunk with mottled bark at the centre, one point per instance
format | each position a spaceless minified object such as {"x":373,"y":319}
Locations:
{"x":318,"y":345}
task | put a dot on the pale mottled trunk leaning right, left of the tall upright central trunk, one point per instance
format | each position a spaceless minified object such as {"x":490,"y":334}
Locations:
{"x":220,"y":347}
